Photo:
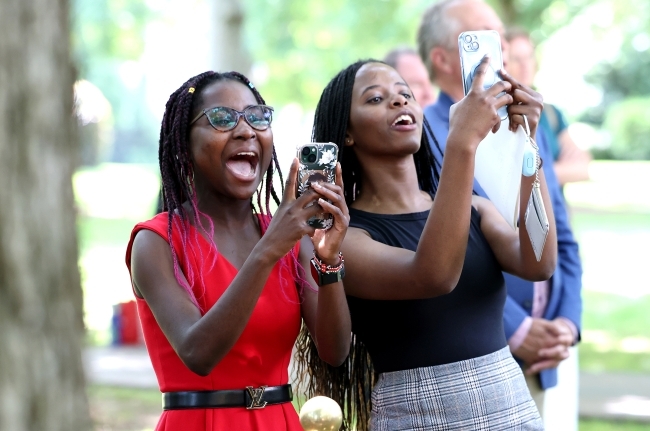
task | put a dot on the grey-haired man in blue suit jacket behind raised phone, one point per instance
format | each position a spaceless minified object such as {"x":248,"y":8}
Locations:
{"x":542,"y":319}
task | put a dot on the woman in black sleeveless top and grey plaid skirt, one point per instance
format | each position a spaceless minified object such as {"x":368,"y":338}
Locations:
{"x":424,"y":259}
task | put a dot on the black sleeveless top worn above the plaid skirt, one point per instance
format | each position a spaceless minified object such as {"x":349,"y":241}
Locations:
{"x":466,"y":323}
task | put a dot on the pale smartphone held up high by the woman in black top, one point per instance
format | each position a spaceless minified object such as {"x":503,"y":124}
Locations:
{"x":472,"y":46}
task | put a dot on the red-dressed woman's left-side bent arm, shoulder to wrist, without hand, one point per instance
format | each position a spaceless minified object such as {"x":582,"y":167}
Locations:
{"x":200,"y":341}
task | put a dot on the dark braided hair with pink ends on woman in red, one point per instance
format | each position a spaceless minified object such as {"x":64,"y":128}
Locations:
{"x":177,"y":172}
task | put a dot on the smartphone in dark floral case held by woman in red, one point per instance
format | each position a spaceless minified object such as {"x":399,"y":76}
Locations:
{"x":317,"y":163}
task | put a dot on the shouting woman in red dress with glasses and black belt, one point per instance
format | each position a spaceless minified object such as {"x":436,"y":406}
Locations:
{"x":220,"y":287}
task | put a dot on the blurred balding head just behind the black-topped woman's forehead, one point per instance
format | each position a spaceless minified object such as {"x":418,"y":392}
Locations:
{"x":408,"y":64}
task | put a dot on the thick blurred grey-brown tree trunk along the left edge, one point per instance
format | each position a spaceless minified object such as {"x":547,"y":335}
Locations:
{"x":41,"y":321}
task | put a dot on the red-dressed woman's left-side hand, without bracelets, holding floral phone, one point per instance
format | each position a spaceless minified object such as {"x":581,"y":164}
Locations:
{"x":289,"y":223}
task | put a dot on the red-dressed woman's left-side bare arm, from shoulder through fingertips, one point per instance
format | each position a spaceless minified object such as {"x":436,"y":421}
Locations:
{"x":202,"y":341}
